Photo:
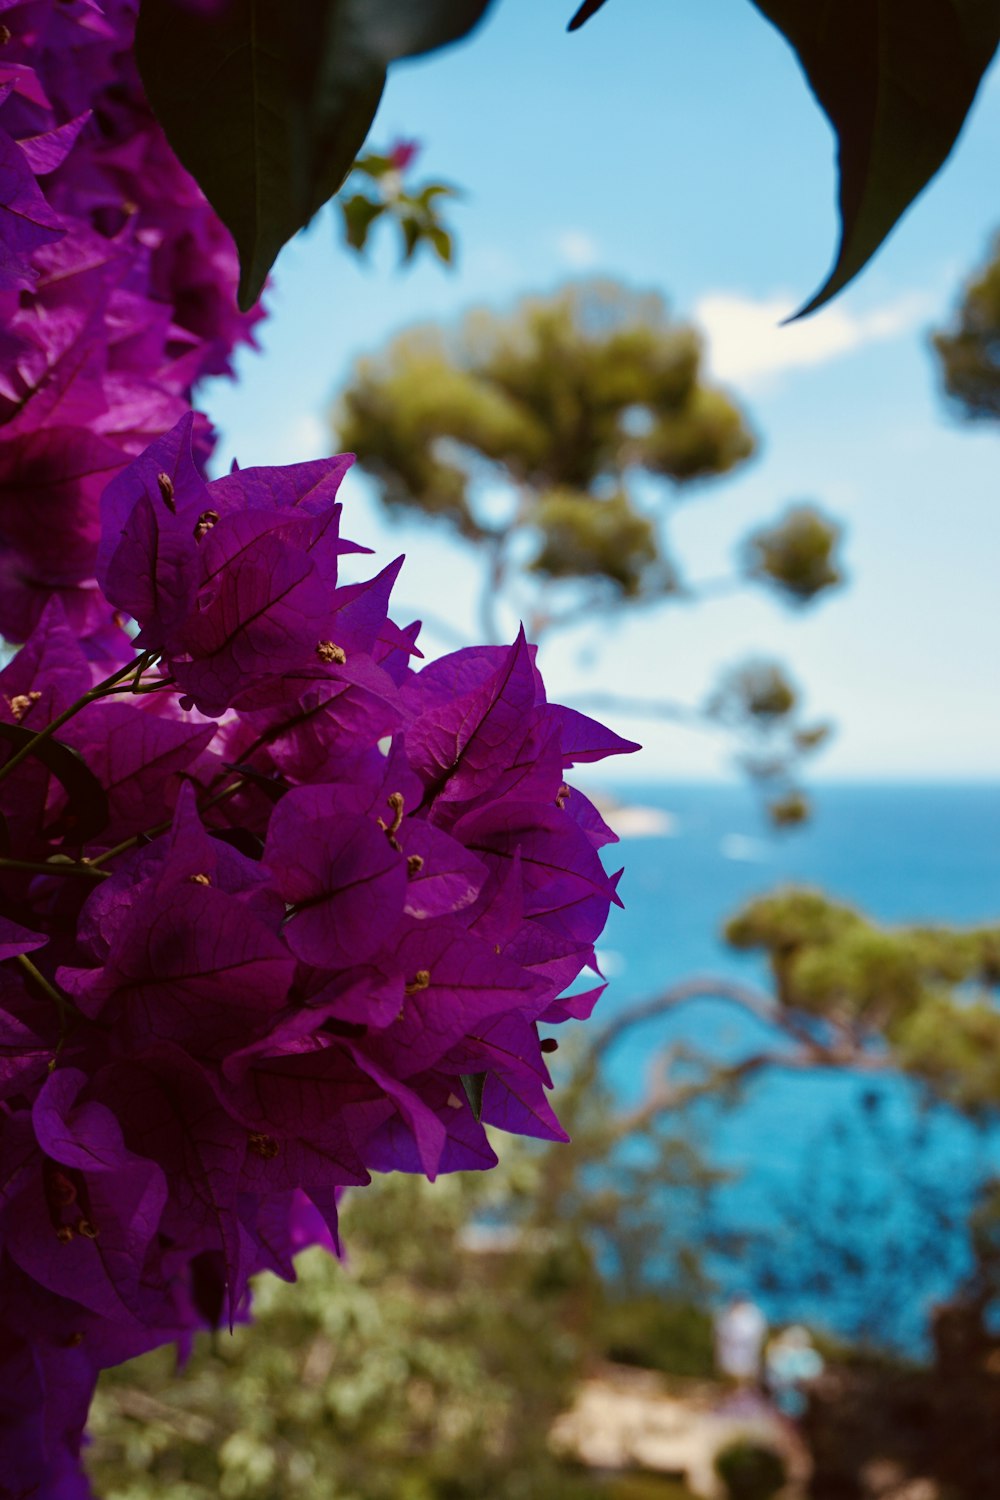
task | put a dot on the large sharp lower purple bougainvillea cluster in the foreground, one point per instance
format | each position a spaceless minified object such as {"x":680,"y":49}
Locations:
{"x":322,"y":893}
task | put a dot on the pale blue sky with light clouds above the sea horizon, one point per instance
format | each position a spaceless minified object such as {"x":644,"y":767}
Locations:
{"x":677,"y":148}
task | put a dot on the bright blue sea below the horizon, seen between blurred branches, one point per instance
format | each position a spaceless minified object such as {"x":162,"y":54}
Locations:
{"x":848,"y":1196}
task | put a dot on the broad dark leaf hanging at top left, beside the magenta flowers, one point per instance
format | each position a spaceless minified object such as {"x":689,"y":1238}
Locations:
{"x":268,"y":103}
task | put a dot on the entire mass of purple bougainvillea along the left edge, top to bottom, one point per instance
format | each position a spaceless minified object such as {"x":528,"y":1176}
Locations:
{"x":278,"y":908}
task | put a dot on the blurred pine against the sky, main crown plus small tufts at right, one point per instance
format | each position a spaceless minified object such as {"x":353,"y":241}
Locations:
{"x":551,"y":437}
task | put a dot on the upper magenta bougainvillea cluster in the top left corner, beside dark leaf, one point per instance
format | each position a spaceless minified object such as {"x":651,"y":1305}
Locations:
{"x":116,"y":293}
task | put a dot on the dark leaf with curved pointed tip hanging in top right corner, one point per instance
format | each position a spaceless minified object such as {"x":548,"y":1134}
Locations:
{"x":896,"y":80}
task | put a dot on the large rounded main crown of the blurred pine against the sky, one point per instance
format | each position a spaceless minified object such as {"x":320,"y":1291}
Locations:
{"x":567,"y":401}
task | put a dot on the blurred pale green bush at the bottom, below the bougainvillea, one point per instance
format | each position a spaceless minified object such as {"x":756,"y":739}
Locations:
{"x":415,"y":1372}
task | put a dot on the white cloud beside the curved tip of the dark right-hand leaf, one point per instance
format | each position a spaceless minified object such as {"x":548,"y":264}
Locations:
{"x":749,"y":346}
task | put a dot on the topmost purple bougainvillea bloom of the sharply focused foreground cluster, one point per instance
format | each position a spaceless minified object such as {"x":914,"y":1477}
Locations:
{"x":236,"y":581}
